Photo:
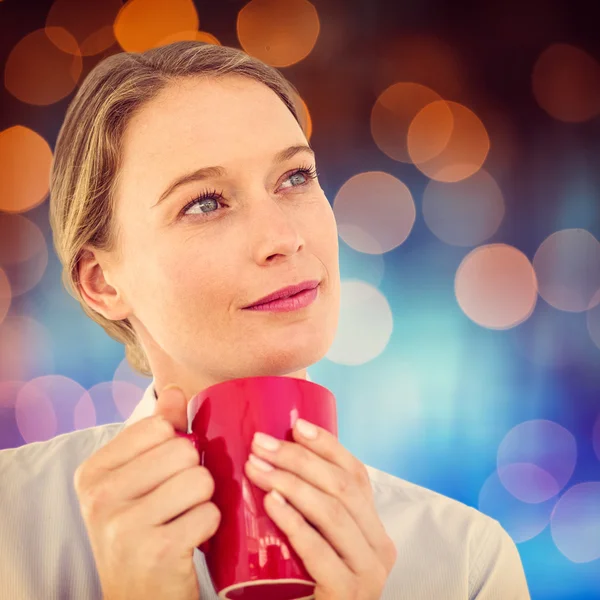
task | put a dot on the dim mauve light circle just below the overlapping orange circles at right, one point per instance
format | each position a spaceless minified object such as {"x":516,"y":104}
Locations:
{"x":464,"y":213}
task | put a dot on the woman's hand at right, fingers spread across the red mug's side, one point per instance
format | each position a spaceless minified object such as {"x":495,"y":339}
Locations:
{"x":329,"y":517}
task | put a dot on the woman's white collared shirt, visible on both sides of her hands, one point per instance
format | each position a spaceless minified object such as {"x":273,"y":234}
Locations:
{"x":446,"y":549}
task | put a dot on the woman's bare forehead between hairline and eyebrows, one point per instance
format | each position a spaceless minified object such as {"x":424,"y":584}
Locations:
{"x":200,"y":122}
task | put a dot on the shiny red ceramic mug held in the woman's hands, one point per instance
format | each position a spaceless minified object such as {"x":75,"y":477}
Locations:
{"x":249,"y":557}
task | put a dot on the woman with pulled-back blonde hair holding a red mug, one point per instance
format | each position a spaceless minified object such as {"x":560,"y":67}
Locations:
{"x":184,"y":190}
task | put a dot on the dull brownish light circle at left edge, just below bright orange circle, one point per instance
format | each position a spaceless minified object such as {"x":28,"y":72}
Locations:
{"x":23,"y":252}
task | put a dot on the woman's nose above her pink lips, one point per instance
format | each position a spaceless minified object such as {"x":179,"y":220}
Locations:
{"x":274,"y":231}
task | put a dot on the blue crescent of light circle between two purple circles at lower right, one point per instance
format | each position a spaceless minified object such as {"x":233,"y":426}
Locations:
{"x":521,"y":520}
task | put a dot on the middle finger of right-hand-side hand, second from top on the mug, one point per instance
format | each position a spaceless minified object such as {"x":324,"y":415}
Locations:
{"x":334,"y":481}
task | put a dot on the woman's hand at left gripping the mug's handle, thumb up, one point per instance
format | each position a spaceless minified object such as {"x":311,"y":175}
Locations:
{"x":144,"y":499}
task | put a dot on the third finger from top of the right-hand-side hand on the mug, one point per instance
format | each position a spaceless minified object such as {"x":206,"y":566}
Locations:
{"x":323,"y":511}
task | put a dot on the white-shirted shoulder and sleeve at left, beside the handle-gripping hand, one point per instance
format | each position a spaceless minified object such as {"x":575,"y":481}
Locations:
{"x":43,"y":539}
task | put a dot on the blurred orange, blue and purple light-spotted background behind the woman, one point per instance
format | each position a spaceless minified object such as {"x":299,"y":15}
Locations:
{"x":458,"y":144}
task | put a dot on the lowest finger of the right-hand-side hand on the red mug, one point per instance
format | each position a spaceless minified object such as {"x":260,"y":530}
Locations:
{"x":319,"y":557}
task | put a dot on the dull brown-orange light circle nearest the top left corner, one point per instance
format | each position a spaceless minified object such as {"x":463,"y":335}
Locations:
{"x":38,"y":72}
